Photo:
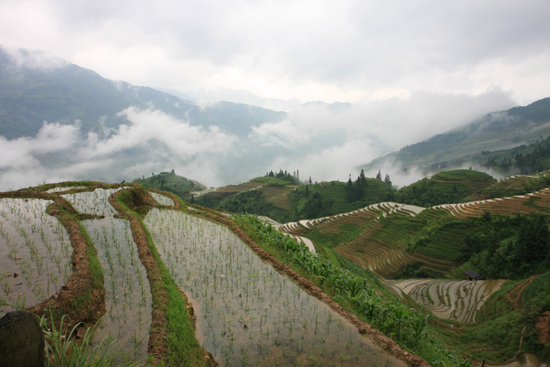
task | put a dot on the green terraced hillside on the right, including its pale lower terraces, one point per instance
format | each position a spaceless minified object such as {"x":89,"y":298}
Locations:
{"x":501,"y":238}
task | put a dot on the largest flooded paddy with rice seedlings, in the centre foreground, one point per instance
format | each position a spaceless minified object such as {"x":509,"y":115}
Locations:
{"x":248,"y":313}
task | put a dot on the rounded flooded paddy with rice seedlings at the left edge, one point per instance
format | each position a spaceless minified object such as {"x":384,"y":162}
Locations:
{"x":35,"y":253}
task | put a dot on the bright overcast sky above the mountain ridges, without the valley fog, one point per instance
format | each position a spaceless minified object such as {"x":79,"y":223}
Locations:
{"x":311,"y":50}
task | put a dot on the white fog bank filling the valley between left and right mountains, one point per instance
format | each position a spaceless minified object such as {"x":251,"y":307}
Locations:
{"x":324,"y":143}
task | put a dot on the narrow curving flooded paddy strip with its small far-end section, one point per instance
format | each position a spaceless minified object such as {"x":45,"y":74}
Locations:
{"x":128,"y":299}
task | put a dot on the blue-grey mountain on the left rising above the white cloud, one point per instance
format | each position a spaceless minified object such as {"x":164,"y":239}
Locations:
{"x":36,"y":87}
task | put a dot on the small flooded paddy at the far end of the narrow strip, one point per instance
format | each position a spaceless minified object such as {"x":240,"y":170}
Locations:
{"x":92,"y":202}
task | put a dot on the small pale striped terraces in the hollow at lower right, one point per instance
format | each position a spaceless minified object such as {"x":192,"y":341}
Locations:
{"x":449,"y":299}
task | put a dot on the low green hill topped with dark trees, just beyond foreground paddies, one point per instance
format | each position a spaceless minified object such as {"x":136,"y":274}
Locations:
{"x":283,"y":197}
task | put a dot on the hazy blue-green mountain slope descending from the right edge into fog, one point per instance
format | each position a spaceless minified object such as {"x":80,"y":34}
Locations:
{"x":458,"y":148}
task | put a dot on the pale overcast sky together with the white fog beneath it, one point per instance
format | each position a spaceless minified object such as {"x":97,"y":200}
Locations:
{"x":412,"y":69}
